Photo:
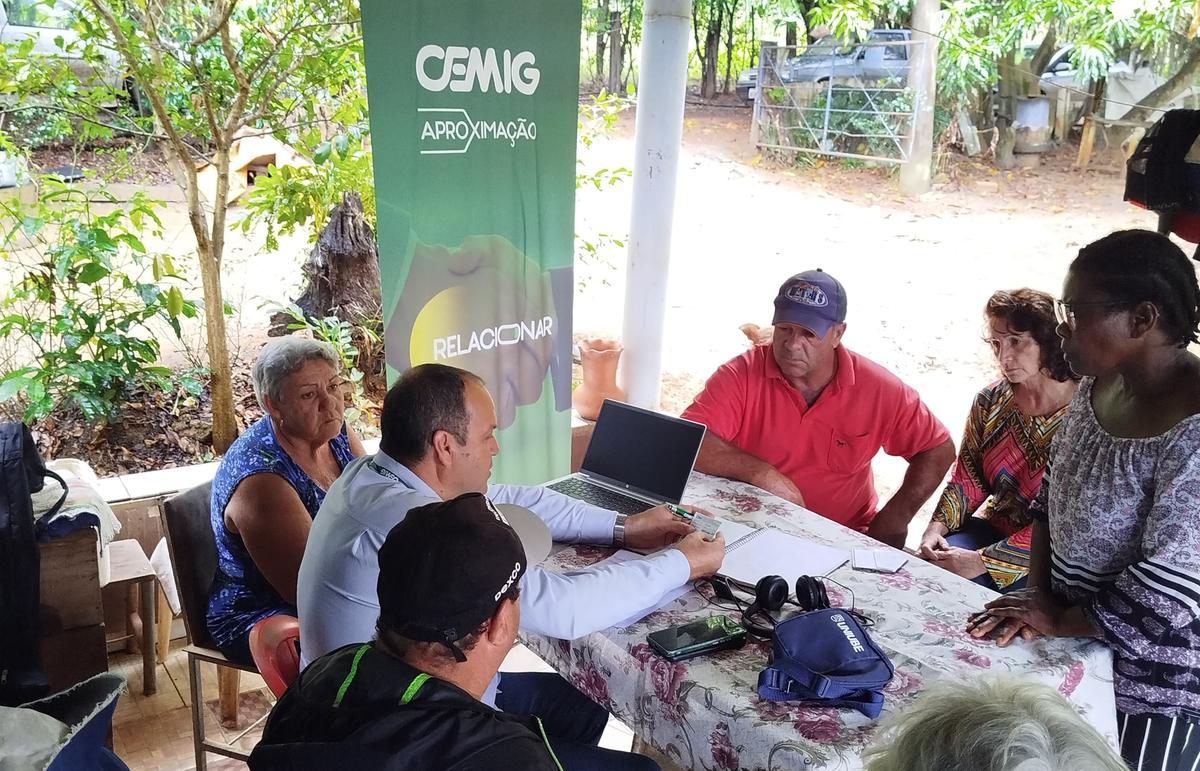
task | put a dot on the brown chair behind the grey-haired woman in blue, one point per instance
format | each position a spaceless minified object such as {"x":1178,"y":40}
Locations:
{"x":194,"y":555}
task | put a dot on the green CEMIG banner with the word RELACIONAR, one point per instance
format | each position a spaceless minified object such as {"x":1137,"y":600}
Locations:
{"x":473,"y":125}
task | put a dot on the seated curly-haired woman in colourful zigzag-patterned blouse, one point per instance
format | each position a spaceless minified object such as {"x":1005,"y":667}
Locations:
{"x":1005,"y":447}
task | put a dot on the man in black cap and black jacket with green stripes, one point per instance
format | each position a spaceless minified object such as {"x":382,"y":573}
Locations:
{"x":449,"y":581}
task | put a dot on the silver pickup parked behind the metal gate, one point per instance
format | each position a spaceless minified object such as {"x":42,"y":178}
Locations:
{"x":830,"y":61}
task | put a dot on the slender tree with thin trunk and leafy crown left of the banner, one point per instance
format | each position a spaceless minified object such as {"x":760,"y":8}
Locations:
{"x":209,"y":74}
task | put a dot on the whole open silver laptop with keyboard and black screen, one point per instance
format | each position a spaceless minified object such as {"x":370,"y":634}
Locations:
{"x":637,"y":459}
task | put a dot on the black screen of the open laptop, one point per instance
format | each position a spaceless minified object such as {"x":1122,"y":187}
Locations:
{"x":643,"y":451}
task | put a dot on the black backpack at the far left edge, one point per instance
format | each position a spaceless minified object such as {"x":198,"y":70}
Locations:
{"x":22,"y":474}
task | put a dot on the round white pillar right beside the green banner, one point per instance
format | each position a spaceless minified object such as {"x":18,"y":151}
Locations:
{"x":667,"y":35}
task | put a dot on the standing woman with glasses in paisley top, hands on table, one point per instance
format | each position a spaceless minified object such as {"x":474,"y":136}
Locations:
{"x":1117,"y":546}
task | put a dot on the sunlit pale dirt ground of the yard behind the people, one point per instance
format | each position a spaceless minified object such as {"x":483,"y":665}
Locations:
{"x":917,"y":272}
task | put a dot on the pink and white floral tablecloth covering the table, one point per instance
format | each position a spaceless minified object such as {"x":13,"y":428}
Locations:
{"x":705,"y":714}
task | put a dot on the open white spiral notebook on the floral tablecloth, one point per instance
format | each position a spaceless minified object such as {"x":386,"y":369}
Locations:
{"x":753,"y":553}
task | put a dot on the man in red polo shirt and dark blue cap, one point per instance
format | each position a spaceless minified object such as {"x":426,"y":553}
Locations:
{"x":803,"y":417}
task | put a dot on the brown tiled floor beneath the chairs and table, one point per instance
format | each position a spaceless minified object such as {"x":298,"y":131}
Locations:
{"x":155,"y":733}
